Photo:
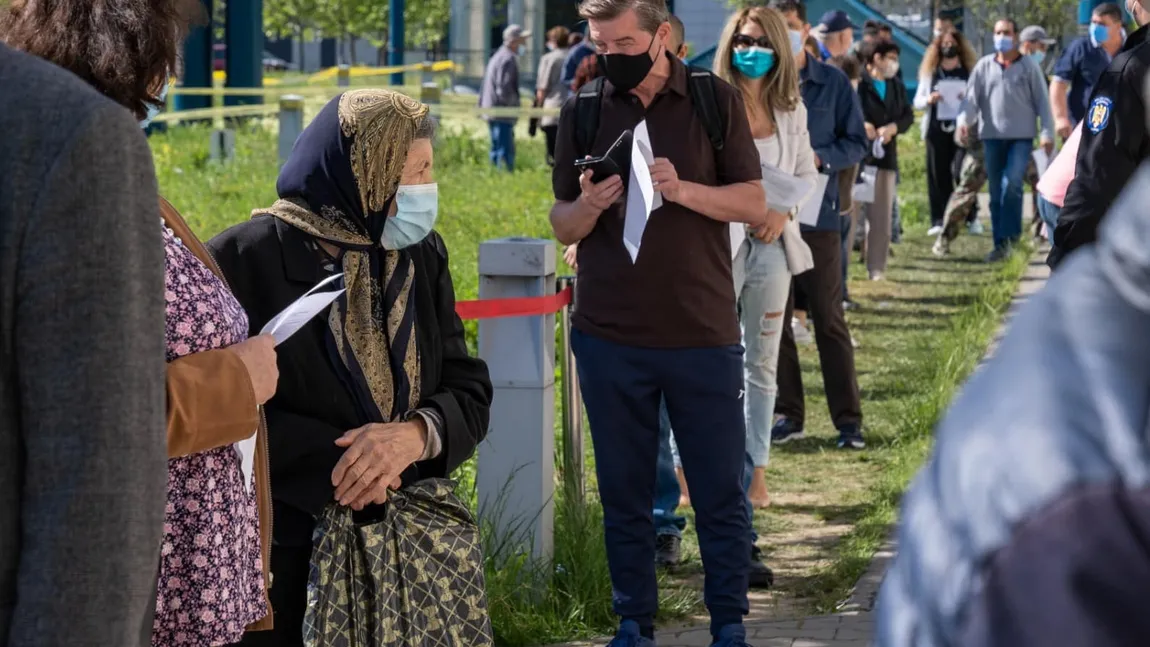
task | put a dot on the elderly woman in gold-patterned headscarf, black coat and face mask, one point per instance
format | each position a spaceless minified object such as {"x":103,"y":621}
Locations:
{"x":381,"y":391}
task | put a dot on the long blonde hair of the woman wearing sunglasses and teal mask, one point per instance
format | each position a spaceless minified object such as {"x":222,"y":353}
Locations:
{"x":780,"y":87}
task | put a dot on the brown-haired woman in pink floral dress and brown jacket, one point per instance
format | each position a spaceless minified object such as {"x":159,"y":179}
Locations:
{"x":212,"y":565}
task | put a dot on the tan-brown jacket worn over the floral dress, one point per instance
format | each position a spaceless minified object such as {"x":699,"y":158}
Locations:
{"x":211,"y":404}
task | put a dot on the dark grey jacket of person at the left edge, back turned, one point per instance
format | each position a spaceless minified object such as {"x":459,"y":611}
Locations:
{"x":83,"y":457}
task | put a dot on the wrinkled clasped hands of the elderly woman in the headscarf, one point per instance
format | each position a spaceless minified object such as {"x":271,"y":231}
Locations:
{"x":377,"y":456}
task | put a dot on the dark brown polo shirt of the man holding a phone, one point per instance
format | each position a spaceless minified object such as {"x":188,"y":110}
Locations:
{"x":680,"y":292}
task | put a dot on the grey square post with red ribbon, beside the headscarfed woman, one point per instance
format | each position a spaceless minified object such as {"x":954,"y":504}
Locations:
{"x":517,"y":465}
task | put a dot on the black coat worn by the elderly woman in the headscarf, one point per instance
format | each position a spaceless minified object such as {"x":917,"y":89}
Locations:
{"x":269,"y":266}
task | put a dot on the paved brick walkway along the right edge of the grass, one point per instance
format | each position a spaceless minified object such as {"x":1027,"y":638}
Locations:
{"x":854,"y":626}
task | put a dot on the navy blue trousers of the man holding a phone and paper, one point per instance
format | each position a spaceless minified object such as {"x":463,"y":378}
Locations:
{"x":703,"y":388}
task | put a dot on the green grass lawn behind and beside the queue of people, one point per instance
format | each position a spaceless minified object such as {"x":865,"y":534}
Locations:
{"x":921,"y":333}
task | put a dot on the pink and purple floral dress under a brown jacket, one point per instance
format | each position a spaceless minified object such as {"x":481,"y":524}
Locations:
{"x":211,"y":576}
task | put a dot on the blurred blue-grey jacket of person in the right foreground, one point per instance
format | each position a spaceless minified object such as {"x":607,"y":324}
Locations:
{"x":1029,"y":526}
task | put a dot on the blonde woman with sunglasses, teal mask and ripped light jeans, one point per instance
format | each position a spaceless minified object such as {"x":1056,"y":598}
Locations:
{"x":756,"y":55}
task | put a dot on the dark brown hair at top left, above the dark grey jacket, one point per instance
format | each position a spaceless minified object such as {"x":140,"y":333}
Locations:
{"x":125,"y":49}
